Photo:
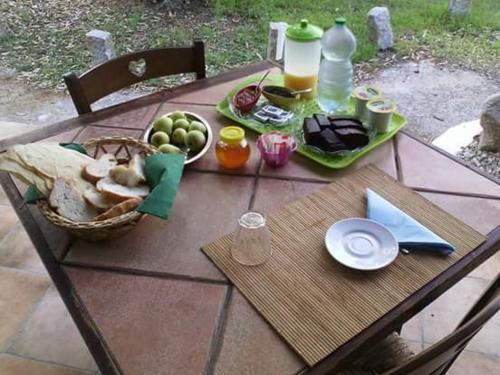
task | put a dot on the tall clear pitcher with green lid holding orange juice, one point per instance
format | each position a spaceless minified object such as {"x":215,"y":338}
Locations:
{"x":302,"y":57}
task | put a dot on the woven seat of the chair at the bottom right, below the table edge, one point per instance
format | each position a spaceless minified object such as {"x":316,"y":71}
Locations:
{"x":386,"y":354}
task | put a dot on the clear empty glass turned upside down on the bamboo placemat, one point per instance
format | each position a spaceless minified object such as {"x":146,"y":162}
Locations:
{"x":252,"y":240}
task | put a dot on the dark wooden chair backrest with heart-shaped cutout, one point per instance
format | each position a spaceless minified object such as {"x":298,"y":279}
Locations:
{"x":126,"y":70}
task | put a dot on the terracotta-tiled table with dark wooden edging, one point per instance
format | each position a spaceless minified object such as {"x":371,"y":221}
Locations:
{"x":150,"y":302}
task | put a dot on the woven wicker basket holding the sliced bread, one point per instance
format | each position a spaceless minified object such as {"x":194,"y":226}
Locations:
{"x":124,"y":148}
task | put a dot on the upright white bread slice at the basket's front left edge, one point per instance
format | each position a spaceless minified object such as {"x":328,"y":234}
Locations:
{"x":68,"y":202}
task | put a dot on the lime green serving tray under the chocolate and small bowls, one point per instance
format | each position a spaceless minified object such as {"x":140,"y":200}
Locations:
{"x":310,"y":107}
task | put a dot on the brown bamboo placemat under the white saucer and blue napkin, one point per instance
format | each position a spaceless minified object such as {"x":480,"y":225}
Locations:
{"x":312,"y":301}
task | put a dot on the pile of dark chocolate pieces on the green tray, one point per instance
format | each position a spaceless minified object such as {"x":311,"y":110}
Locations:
{"x":334,"y":133}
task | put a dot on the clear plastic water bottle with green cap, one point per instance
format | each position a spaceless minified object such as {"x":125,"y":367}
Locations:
{"x":335,"y":73}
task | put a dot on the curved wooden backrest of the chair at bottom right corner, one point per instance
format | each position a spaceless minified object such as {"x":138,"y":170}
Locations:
{"x":438,"y":358}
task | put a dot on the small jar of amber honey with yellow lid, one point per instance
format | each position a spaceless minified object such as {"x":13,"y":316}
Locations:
{"x":232,"y":149}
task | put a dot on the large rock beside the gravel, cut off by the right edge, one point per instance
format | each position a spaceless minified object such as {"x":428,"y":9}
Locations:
{"x":490,"y":122}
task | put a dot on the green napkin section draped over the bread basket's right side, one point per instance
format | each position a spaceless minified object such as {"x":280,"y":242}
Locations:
{"x":163,"y":174}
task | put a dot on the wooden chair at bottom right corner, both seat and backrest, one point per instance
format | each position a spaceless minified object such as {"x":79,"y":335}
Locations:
{"x":435,"y":360}
